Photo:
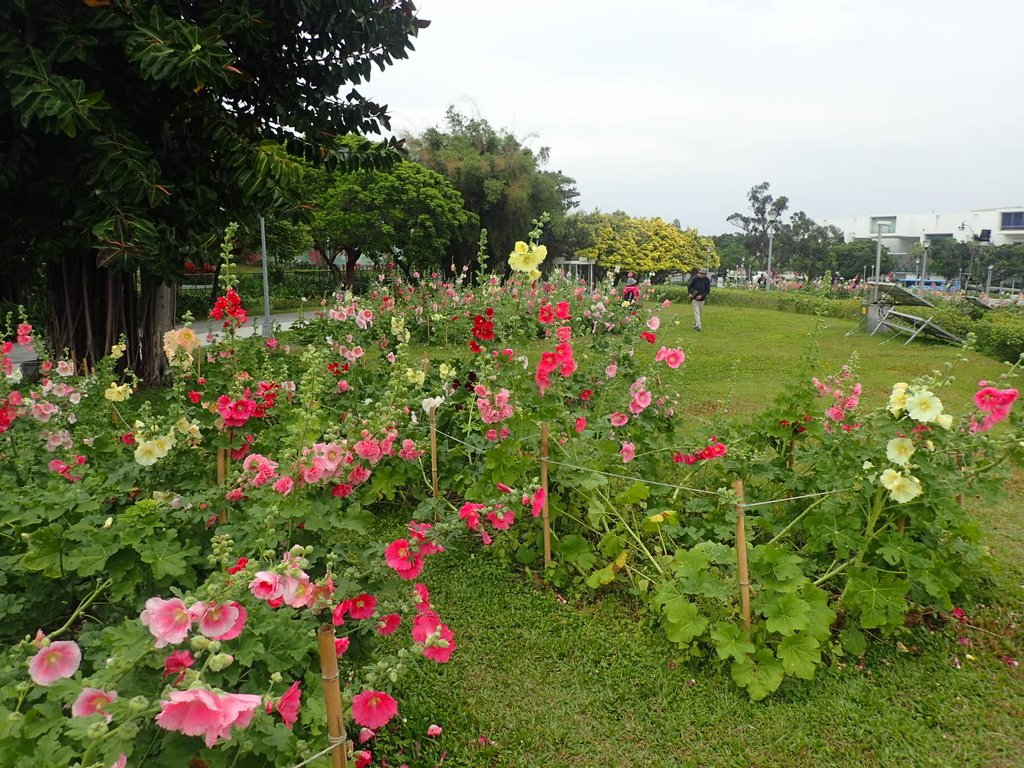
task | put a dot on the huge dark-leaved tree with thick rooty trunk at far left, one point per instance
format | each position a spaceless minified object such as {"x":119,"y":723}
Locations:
{"x":131,"y":134}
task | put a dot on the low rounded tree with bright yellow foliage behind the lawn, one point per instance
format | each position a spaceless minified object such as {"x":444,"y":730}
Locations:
{"x":647,"y":245}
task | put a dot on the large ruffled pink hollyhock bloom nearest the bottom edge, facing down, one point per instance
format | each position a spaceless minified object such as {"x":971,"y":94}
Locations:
{"x":203,"y":713}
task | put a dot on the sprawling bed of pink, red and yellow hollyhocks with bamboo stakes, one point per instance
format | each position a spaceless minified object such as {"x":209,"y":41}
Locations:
{"x":205,"y":544}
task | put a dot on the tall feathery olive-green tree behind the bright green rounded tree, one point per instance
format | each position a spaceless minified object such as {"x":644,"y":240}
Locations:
{"x":501,"y":181}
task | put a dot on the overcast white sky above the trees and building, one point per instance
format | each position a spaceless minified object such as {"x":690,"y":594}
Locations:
{"x":676,"y":108}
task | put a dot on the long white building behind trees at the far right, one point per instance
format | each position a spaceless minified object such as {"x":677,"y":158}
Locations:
{"x":998,"y":226}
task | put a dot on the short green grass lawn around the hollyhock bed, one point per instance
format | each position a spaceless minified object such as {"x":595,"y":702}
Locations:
{"x":552,"y":682}
